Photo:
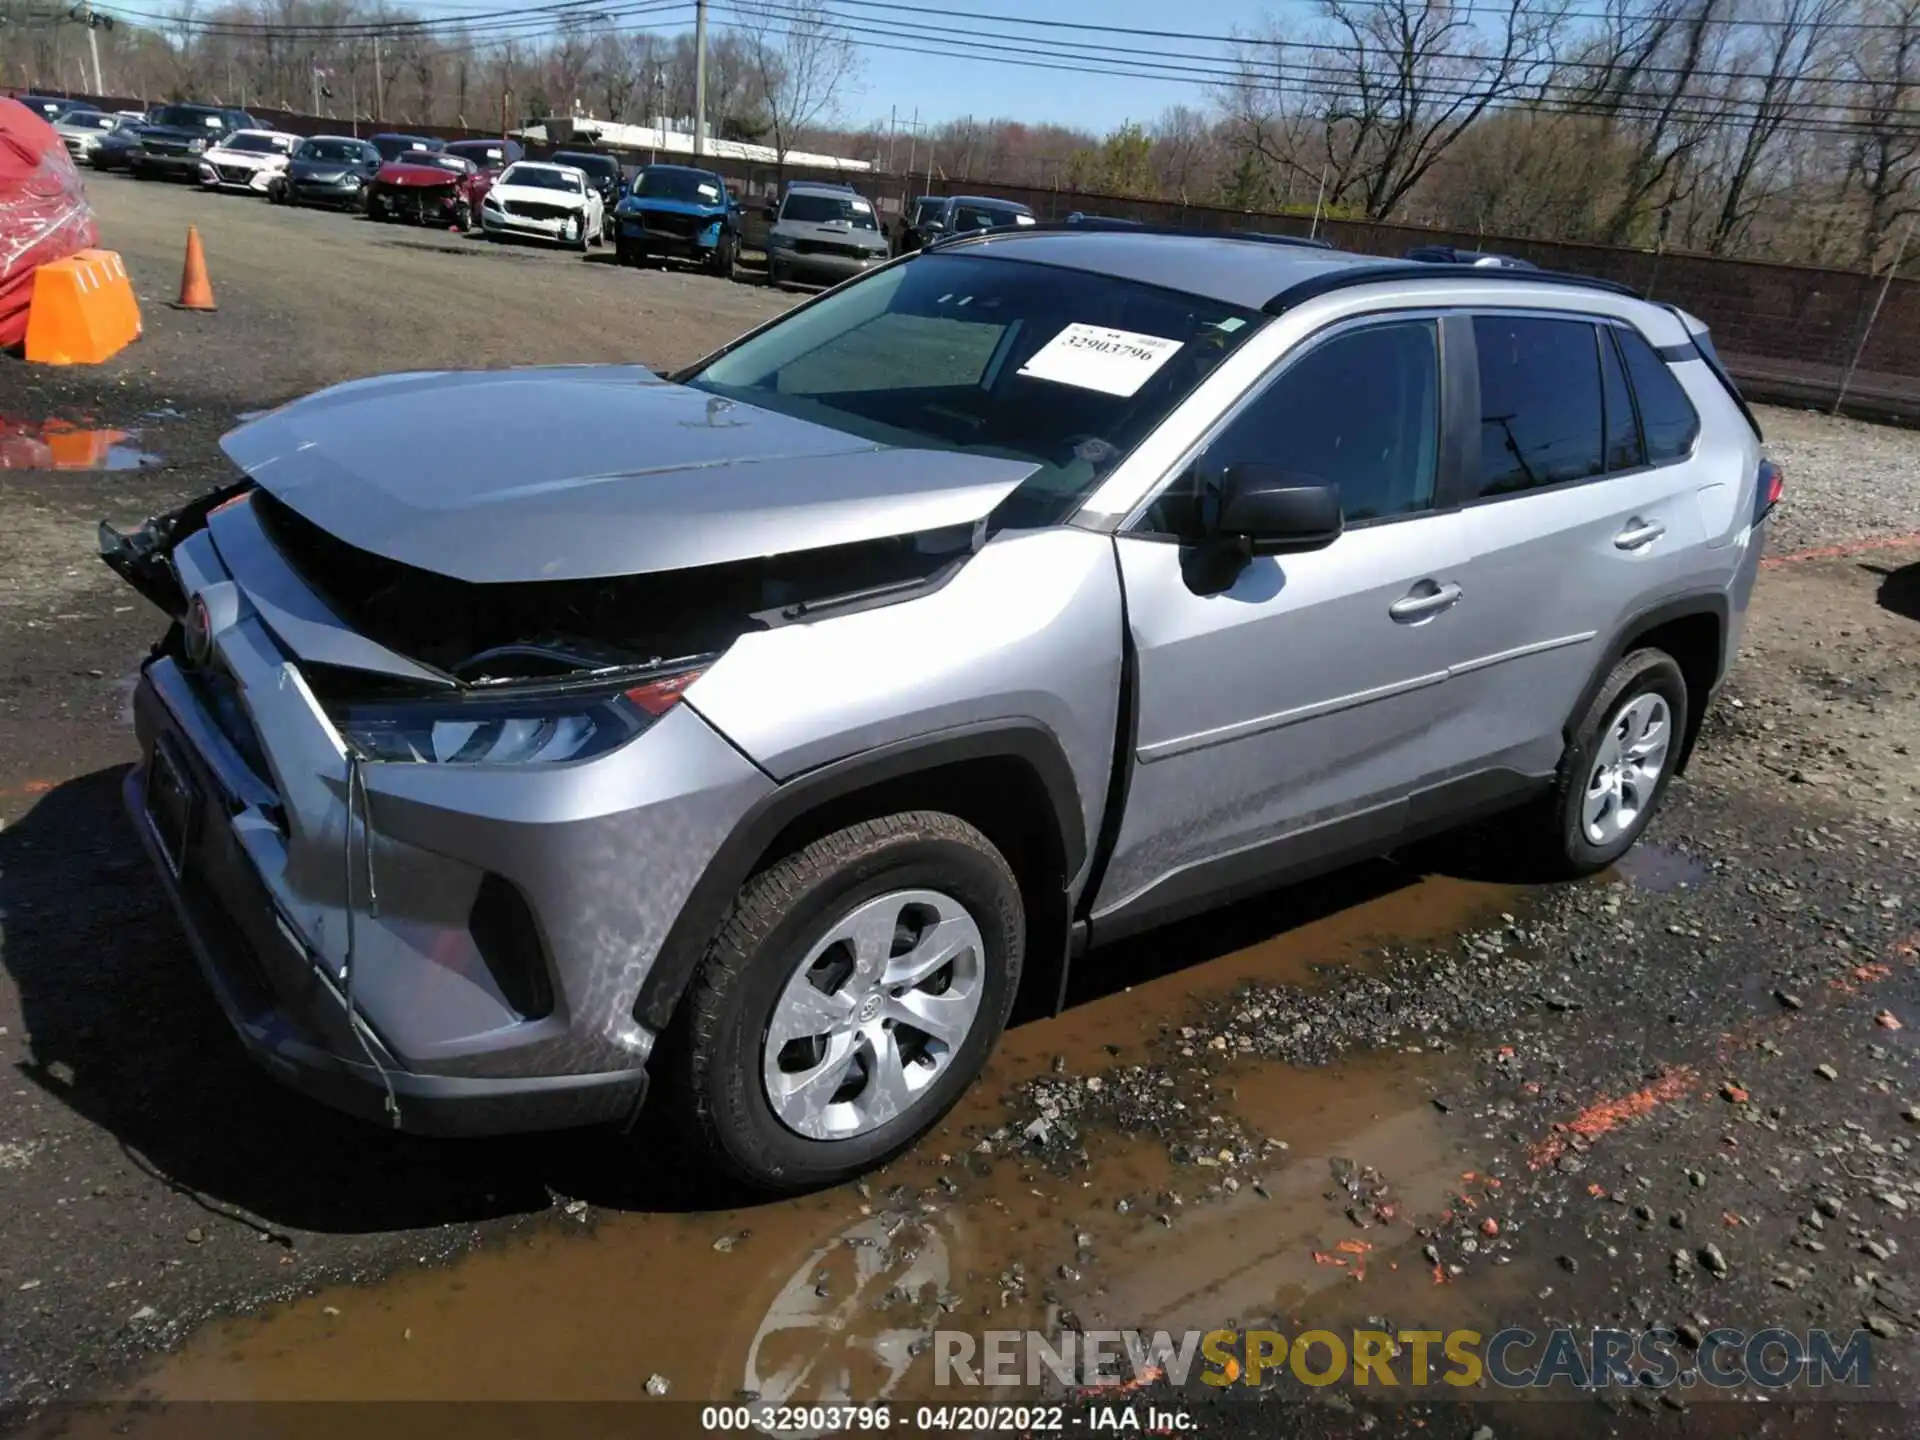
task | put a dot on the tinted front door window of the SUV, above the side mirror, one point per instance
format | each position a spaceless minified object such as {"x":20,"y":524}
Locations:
{"x":1358,"y":412}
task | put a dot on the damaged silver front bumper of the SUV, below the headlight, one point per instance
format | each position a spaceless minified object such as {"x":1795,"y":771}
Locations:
{"x":256,"y":859}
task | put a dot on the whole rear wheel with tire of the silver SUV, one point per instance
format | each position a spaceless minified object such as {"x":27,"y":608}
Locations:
{"x":1577,"y":827}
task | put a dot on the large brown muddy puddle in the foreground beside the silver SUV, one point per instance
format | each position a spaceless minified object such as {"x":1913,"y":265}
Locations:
{"x":836,"y":1295}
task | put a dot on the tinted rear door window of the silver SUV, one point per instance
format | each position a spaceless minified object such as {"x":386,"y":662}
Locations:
{"x":1543,"y":420}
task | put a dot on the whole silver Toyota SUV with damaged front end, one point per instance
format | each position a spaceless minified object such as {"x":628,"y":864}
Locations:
{"x":533,"y":738}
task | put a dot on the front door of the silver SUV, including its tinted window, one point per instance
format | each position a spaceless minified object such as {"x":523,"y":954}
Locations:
{"x":1293,"y":711}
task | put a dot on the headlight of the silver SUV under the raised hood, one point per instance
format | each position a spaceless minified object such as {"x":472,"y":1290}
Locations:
{"x":527,"y":727}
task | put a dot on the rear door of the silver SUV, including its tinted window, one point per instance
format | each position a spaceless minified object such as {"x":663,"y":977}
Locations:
{"x":1579,"y":516}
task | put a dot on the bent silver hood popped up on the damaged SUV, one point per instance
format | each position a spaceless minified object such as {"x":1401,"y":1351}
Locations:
{"x":577,"y":473}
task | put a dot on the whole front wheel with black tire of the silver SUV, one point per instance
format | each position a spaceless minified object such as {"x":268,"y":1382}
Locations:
{"x":919,"y":867}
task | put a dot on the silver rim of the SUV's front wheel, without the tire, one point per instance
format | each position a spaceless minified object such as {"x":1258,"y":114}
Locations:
{"x":875,"y":1015}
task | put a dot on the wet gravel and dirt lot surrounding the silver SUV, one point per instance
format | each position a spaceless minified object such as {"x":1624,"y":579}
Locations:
{"x":1623,"y":1078}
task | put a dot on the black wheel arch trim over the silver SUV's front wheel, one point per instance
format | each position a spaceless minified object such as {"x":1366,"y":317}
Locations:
{"x":748,"y":846}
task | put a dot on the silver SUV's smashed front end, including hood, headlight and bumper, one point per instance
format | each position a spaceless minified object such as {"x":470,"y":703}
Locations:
{"x":418,"y":767}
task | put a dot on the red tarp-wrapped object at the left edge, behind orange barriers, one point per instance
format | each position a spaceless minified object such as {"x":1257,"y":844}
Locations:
{"x":43,"y":212}
